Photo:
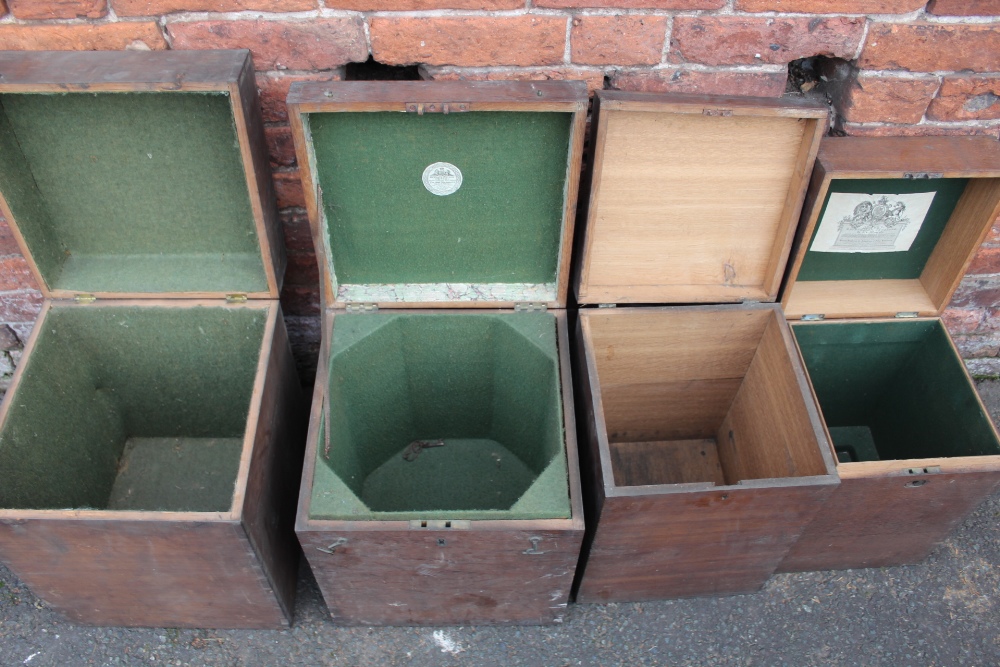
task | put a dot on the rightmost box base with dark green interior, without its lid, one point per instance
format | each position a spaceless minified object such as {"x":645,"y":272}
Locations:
{"x":916,"y":447}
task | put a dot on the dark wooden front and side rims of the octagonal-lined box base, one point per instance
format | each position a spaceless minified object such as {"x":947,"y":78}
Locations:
{"x":387,"y":573}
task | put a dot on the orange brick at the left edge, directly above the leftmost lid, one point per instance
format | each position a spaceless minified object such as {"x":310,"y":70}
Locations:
{"x":82,"y":37}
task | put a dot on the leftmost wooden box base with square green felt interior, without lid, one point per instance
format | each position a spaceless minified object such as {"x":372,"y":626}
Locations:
{"x":142,"y":492}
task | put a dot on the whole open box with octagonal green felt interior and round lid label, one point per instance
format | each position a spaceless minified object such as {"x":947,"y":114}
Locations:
{"x":441,"y":483}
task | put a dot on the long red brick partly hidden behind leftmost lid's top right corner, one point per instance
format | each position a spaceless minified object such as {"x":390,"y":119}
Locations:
{"x":298,"y":45}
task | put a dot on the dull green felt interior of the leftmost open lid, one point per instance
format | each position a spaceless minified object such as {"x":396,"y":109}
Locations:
{"x":130,"y":192}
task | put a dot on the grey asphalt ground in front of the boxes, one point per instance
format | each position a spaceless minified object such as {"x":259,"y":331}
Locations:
{"x":943,"y":612}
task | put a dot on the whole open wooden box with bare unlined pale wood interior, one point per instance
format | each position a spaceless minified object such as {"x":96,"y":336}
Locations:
{"x":704,"y":455}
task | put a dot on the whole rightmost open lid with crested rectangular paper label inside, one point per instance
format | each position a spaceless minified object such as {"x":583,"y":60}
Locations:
{"x":891,"y":225}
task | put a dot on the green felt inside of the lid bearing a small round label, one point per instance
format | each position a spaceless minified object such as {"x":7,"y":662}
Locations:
{"x":497,"y":238}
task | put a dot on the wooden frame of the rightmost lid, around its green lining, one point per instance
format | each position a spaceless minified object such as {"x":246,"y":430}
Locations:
{"x":910,"y":160}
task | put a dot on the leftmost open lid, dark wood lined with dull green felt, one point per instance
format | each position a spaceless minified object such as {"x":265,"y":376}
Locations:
{"x":135,"y":174}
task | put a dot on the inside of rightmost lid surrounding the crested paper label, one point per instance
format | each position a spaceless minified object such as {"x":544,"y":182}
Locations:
{"x":920,"y":279}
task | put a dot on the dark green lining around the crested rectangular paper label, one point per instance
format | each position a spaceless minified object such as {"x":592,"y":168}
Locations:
{"x":886,"y":265}
